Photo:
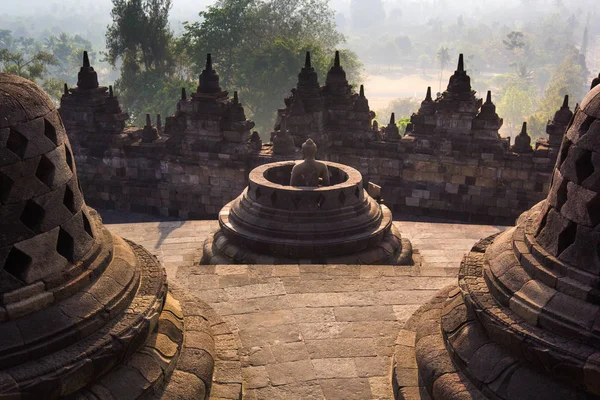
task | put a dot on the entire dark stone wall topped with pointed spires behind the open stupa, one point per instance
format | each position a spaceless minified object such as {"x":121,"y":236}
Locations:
{"x":202,"y":159}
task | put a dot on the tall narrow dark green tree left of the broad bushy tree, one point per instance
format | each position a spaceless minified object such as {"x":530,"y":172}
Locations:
{"x":151,"y":71}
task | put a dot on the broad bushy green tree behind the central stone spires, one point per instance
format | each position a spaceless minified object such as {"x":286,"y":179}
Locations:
{"x":258,"y":48}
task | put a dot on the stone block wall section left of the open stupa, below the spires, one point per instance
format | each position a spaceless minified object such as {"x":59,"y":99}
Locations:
{"x":140,"y":179}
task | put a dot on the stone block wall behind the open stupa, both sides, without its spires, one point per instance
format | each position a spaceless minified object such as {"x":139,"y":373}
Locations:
{"x":483,"y":188}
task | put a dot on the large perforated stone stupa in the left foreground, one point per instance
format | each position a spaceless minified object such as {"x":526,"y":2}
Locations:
{"x":84,"y":314}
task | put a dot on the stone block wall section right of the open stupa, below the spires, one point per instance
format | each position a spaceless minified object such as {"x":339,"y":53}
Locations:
{"x":482,"y":188}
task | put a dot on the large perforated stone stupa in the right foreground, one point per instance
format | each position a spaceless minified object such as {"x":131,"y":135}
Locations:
{"x":524,"y":321}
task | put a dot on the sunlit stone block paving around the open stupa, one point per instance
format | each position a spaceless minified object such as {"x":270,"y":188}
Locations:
{"x":309,"y":331}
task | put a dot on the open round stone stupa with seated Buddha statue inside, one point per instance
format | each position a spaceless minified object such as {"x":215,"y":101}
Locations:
{"x":272,"y":222}
